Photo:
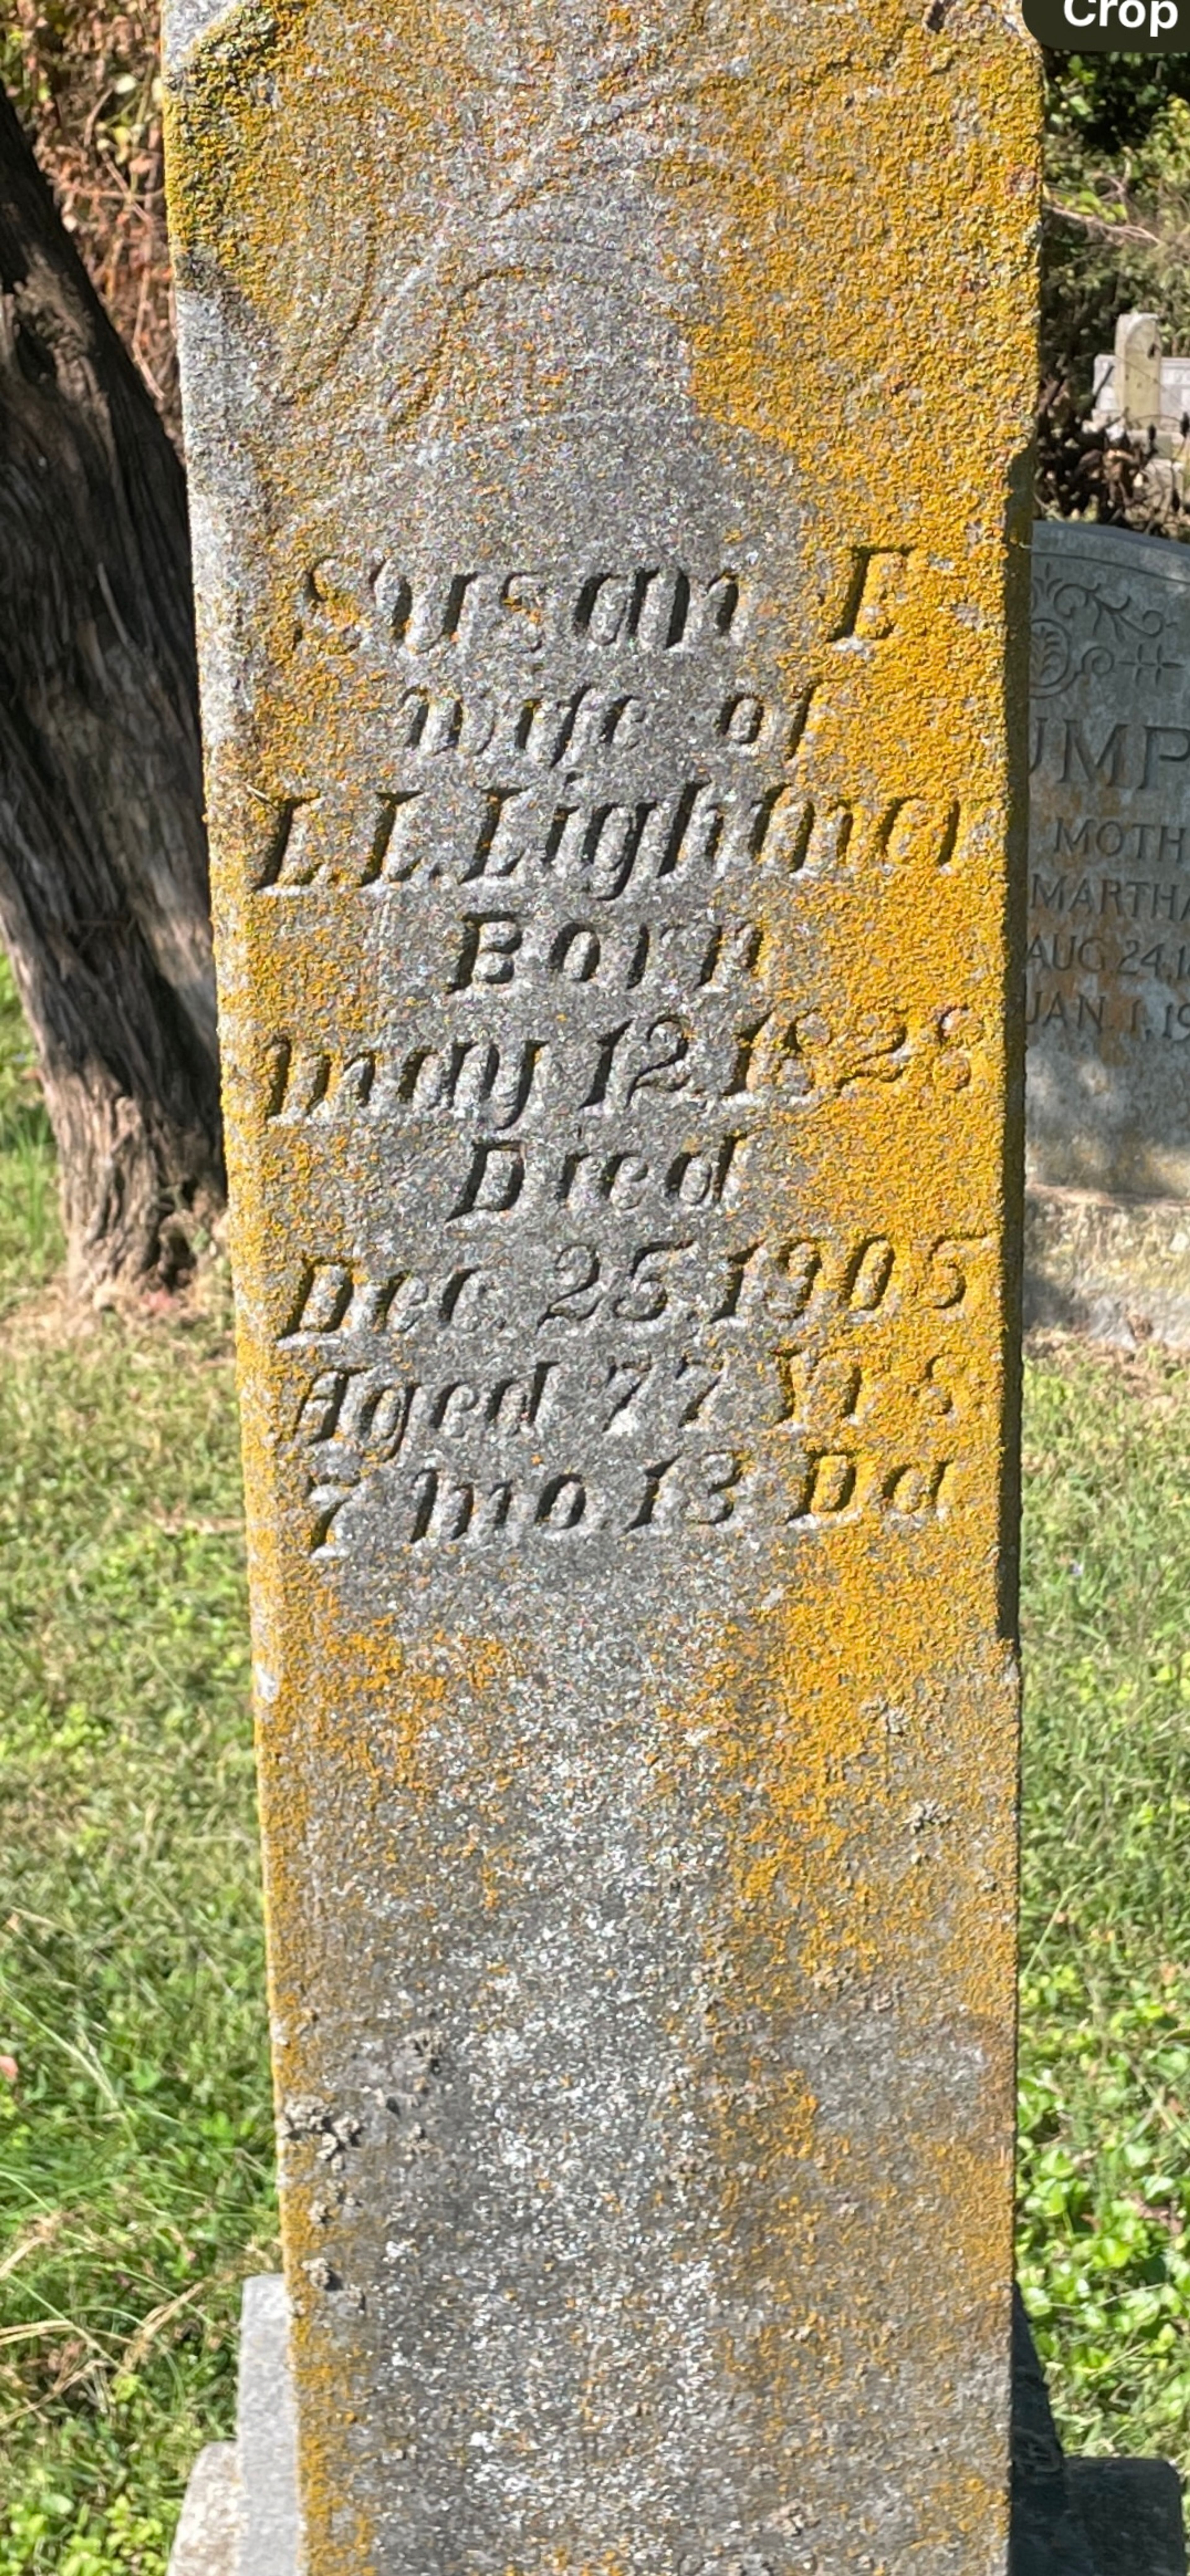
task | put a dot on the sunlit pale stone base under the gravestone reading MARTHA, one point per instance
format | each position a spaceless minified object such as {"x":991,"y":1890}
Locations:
{"x":1111,"y":1269}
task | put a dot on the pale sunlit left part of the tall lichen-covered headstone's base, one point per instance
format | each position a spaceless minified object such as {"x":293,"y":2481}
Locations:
{"x":241,"y":2513}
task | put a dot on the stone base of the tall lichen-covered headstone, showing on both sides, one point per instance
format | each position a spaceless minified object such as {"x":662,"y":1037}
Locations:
{"x":1070,"y":2518}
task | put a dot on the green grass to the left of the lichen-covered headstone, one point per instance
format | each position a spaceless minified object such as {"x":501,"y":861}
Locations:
{"x":135,"y":2145}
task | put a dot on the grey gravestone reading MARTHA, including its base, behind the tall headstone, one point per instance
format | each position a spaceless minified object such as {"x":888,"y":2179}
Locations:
{"x":1109,"y":934}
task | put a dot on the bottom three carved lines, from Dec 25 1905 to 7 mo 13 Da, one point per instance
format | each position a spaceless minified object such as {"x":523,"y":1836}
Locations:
{"x":643,"y":1400}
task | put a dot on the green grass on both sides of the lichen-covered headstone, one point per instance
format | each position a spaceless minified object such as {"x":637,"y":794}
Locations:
{"x":135,"y":2142}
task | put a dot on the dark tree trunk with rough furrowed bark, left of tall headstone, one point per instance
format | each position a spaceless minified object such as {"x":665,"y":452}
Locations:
{"x":104,"y":900}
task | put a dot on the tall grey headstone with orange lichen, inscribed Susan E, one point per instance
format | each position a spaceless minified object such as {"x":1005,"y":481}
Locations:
{"x":609,"y":766}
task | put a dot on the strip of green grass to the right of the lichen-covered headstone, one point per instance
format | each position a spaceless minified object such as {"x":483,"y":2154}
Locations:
{"x":1106,"y":1936}
